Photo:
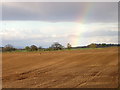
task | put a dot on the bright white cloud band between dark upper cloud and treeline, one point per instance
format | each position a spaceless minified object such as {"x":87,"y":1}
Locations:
{"x":46,"y":32}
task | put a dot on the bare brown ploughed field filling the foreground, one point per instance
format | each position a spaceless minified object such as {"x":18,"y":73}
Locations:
{"x":85,"y":68}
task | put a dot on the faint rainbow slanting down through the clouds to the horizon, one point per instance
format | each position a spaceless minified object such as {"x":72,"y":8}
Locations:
{"x":75,"y":41}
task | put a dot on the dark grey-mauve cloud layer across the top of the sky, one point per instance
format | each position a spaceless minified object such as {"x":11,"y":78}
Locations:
{"x":61,"y":11}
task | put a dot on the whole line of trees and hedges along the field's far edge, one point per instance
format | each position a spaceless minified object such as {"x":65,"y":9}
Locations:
{"x":55,"y":46}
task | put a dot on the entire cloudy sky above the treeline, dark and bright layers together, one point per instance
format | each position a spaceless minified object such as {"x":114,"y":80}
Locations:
{"x":42,"y":23}
